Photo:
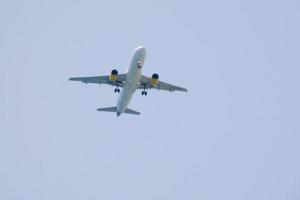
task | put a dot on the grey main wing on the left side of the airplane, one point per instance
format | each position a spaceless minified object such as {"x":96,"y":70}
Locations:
{"x":102,"y":80}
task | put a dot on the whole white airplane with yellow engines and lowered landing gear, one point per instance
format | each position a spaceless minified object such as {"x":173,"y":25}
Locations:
{"x":130,"y":82}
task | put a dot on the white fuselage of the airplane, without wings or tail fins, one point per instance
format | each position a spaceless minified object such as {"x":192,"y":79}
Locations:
{"x":132,"y":80}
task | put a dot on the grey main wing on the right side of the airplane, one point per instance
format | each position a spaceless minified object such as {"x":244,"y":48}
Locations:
{"x":145,"y":83}
